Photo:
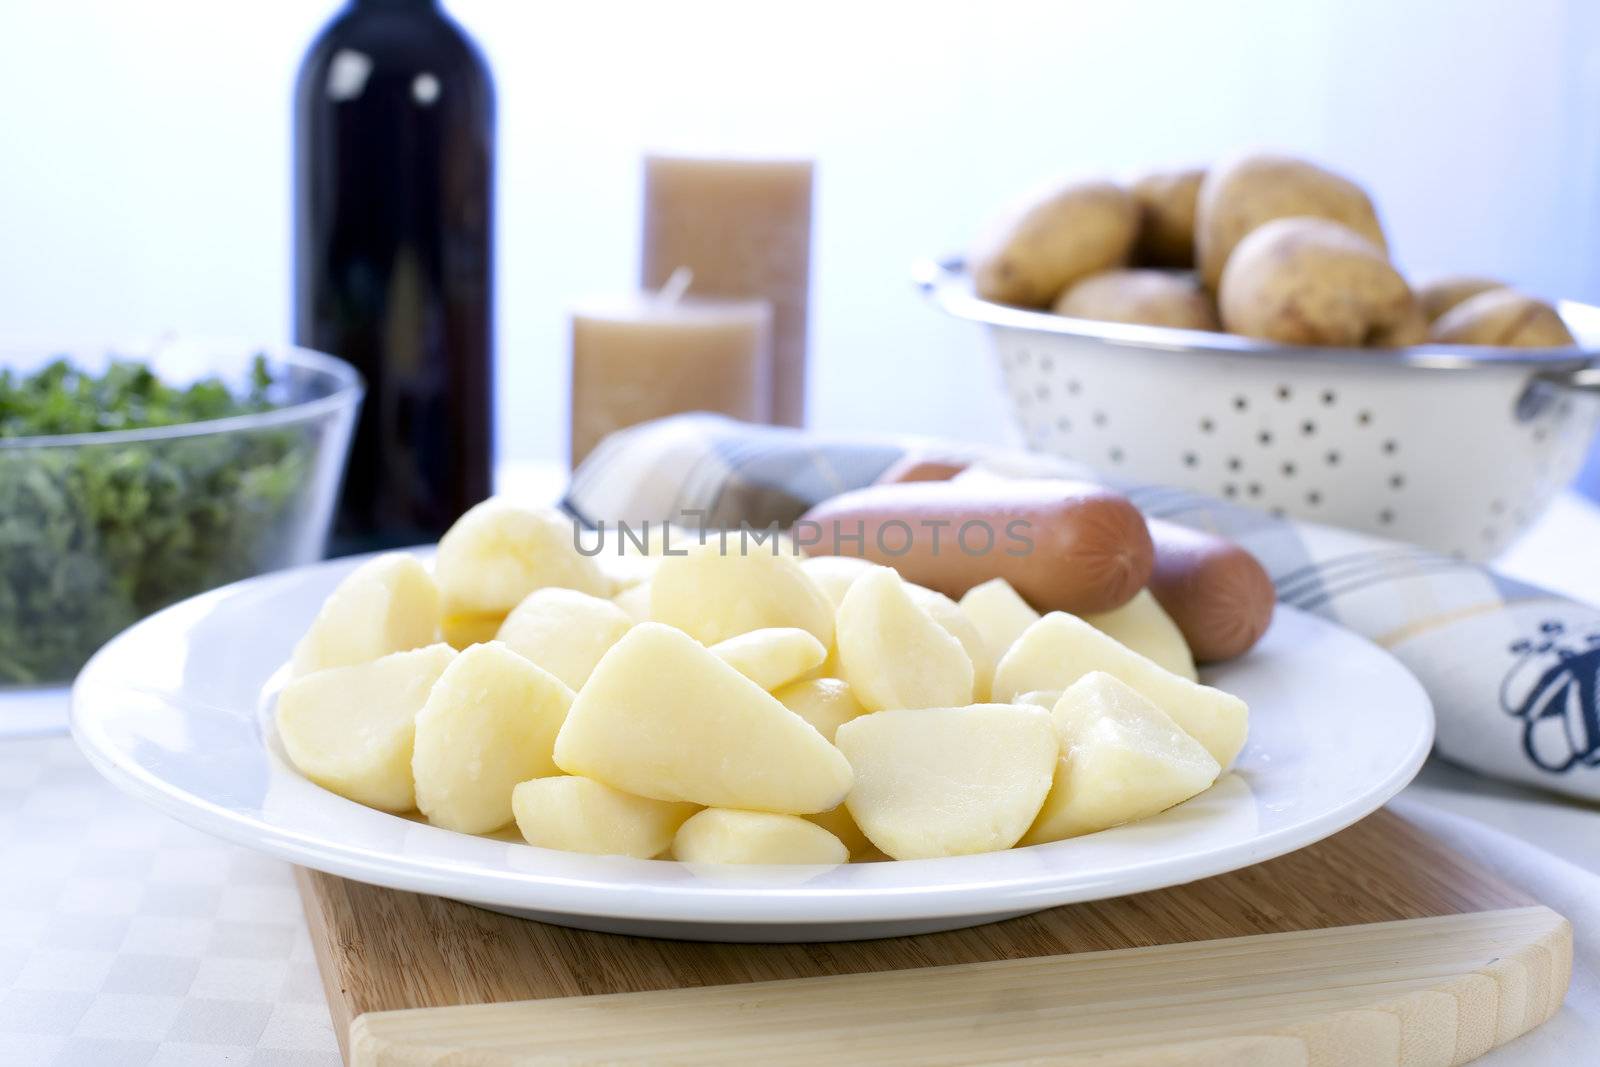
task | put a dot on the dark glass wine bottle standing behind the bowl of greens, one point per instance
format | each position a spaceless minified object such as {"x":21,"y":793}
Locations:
{"x":394,"y":172}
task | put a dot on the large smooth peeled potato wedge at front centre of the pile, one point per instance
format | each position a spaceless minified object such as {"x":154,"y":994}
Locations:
{"x":663,"y":717}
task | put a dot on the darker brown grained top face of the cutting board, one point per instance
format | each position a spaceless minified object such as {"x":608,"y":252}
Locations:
{"x":385,"y":951}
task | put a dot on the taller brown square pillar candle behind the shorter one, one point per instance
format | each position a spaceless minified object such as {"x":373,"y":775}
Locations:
{"x":745,"y":230}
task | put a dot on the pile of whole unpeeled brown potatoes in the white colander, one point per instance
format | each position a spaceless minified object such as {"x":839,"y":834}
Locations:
{"x":1262,"y":246}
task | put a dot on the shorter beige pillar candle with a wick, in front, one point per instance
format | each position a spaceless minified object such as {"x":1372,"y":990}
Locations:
{"x":649,"y":356}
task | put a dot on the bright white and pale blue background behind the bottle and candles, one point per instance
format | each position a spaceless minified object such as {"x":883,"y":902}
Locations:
{"x":145,"y":182}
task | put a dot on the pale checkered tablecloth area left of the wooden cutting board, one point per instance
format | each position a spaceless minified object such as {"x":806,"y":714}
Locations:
{"x":130,"y":940}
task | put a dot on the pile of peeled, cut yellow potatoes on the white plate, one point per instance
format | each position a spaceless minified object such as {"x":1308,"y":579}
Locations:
{"x":751,"y":706}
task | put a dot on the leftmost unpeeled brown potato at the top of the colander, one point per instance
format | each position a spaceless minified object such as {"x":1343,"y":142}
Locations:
{"x":1052,"y":241}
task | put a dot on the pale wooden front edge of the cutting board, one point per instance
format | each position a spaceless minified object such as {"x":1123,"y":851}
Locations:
{"x":1414,"y":993}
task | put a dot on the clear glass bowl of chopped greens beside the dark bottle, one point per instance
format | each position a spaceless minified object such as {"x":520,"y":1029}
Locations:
{"x":100,"y":530}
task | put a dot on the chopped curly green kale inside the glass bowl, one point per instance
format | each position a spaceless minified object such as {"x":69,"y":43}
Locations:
{"x":95,"y":537}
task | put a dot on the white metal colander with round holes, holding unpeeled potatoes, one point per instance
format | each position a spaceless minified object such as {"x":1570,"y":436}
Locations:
{"x":1455,"y":449}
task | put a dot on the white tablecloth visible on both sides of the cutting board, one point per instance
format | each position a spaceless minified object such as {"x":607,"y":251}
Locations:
{"x":127,"y":938}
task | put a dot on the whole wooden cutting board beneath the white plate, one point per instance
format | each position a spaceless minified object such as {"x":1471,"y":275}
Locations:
{"x":1378,"y":946}
